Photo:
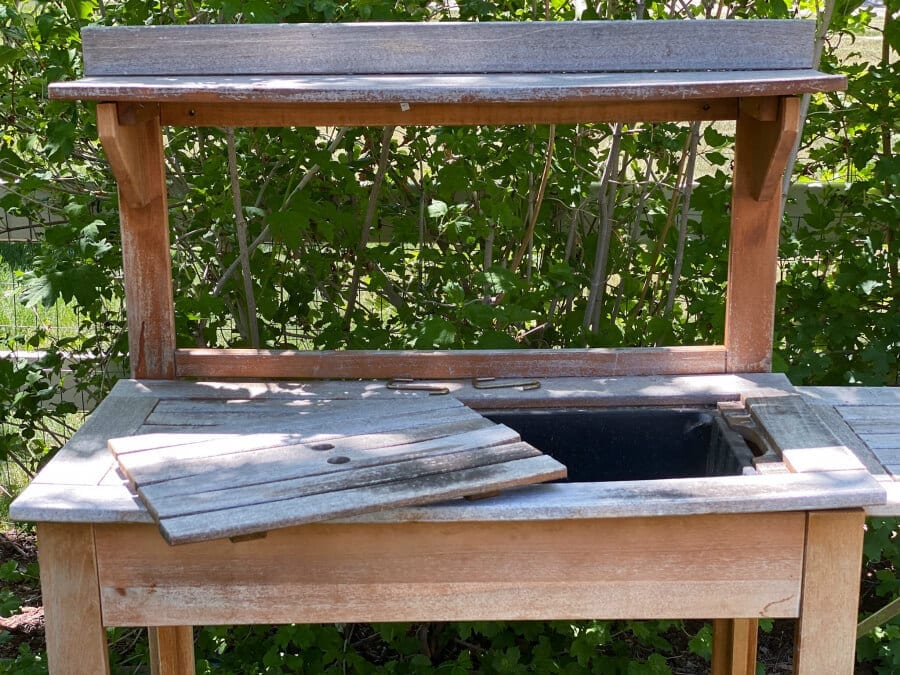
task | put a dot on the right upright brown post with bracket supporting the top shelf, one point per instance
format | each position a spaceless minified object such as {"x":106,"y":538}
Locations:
{"x":766,"y":130}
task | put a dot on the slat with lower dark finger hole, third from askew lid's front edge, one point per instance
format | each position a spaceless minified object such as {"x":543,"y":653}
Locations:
{"x":282,"y":463}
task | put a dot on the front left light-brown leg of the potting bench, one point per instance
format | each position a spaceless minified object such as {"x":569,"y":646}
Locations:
{"x":76,"y":638}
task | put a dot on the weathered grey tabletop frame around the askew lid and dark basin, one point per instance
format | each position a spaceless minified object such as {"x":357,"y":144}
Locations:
{"x":83,"y":482}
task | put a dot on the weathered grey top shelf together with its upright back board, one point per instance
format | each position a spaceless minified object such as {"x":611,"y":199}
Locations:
{"x":452,"y":63}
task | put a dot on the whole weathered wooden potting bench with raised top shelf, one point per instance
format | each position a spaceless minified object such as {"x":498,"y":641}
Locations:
{"x":781,"y":540}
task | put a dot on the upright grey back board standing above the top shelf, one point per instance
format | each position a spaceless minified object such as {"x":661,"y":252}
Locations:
{"x":435,"y":47}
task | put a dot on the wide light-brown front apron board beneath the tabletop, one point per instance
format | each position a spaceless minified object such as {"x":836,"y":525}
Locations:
{"x":557,"y":569}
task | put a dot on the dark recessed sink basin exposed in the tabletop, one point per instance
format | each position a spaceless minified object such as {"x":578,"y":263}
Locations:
{"x":611,"y":444}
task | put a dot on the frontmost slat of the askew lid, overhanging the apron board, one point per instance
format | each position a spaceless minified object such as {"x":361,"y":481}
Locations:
{"x":317,"y":507}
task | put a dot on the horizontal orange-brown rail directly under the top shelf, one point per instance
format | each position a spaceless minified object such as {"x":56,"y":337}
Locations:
{"x":556,"y":110}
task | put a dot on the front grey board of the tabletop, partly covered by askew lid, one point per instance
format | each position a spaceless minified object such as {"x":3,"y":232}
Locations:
{"x":683,"y":496}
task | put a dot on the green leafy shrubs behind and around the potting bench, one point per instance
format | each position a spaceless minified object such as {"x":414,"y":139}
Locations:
{"x":600,"y":235}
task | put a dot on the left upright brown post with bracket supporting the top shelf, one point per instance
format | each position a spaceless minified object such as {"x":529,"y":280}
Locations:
{"x":135,"y":153}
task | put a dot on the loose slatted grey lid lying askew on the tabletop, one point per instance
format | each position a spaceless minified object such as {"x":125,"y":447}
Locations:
{"x":208,"y":469}
